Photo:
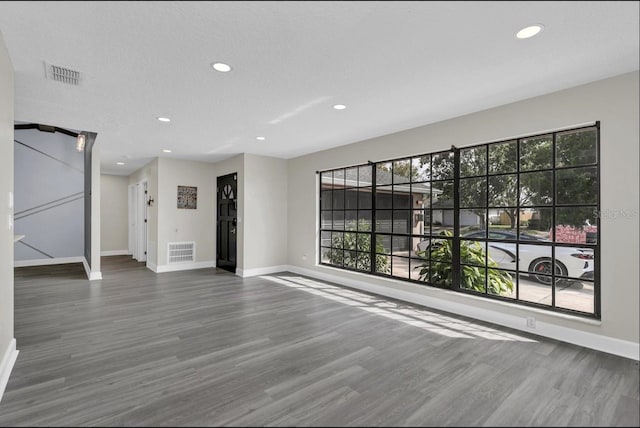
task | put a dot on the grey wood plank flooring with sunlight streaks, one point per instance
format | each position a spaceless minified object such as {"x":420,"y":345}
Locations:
{"x":207,"y":348}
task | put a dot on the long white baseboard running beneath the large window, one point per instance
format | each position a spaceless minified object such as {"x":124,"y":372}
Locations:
{"x":598,"y":342}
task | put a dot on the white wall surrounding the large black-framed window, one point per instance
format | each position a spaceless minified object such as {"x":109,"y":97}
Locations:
{"x":613,"y":101}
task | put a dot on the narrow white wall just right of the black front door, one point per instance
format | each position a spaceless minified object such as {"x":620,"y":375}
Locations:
{"x":265,"y":212}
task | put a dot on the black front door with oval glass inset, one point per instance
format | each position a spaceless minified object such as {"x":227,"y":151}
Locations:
{"x":227,"y":222}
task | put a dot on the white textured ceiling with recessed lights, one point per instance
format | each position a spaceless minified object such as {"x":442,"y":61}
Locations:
{"x":396,"y":65}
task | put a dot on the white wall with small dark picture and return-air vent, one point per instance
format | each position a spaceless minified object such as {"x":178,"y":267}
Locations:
{"x":180,"y":225}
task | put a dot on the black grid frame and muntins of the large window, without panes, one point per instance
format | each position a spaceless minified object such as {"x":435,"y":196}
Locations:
{"x":455,"y":262}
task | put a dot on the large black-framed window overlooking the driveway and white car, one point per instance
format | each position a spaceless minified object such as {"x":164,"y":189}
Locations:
{"x":514,"y":220}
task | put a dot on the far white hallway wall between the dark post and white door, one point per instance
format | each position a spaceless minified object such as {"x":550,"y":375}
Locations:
{"x":114,"y":207}
